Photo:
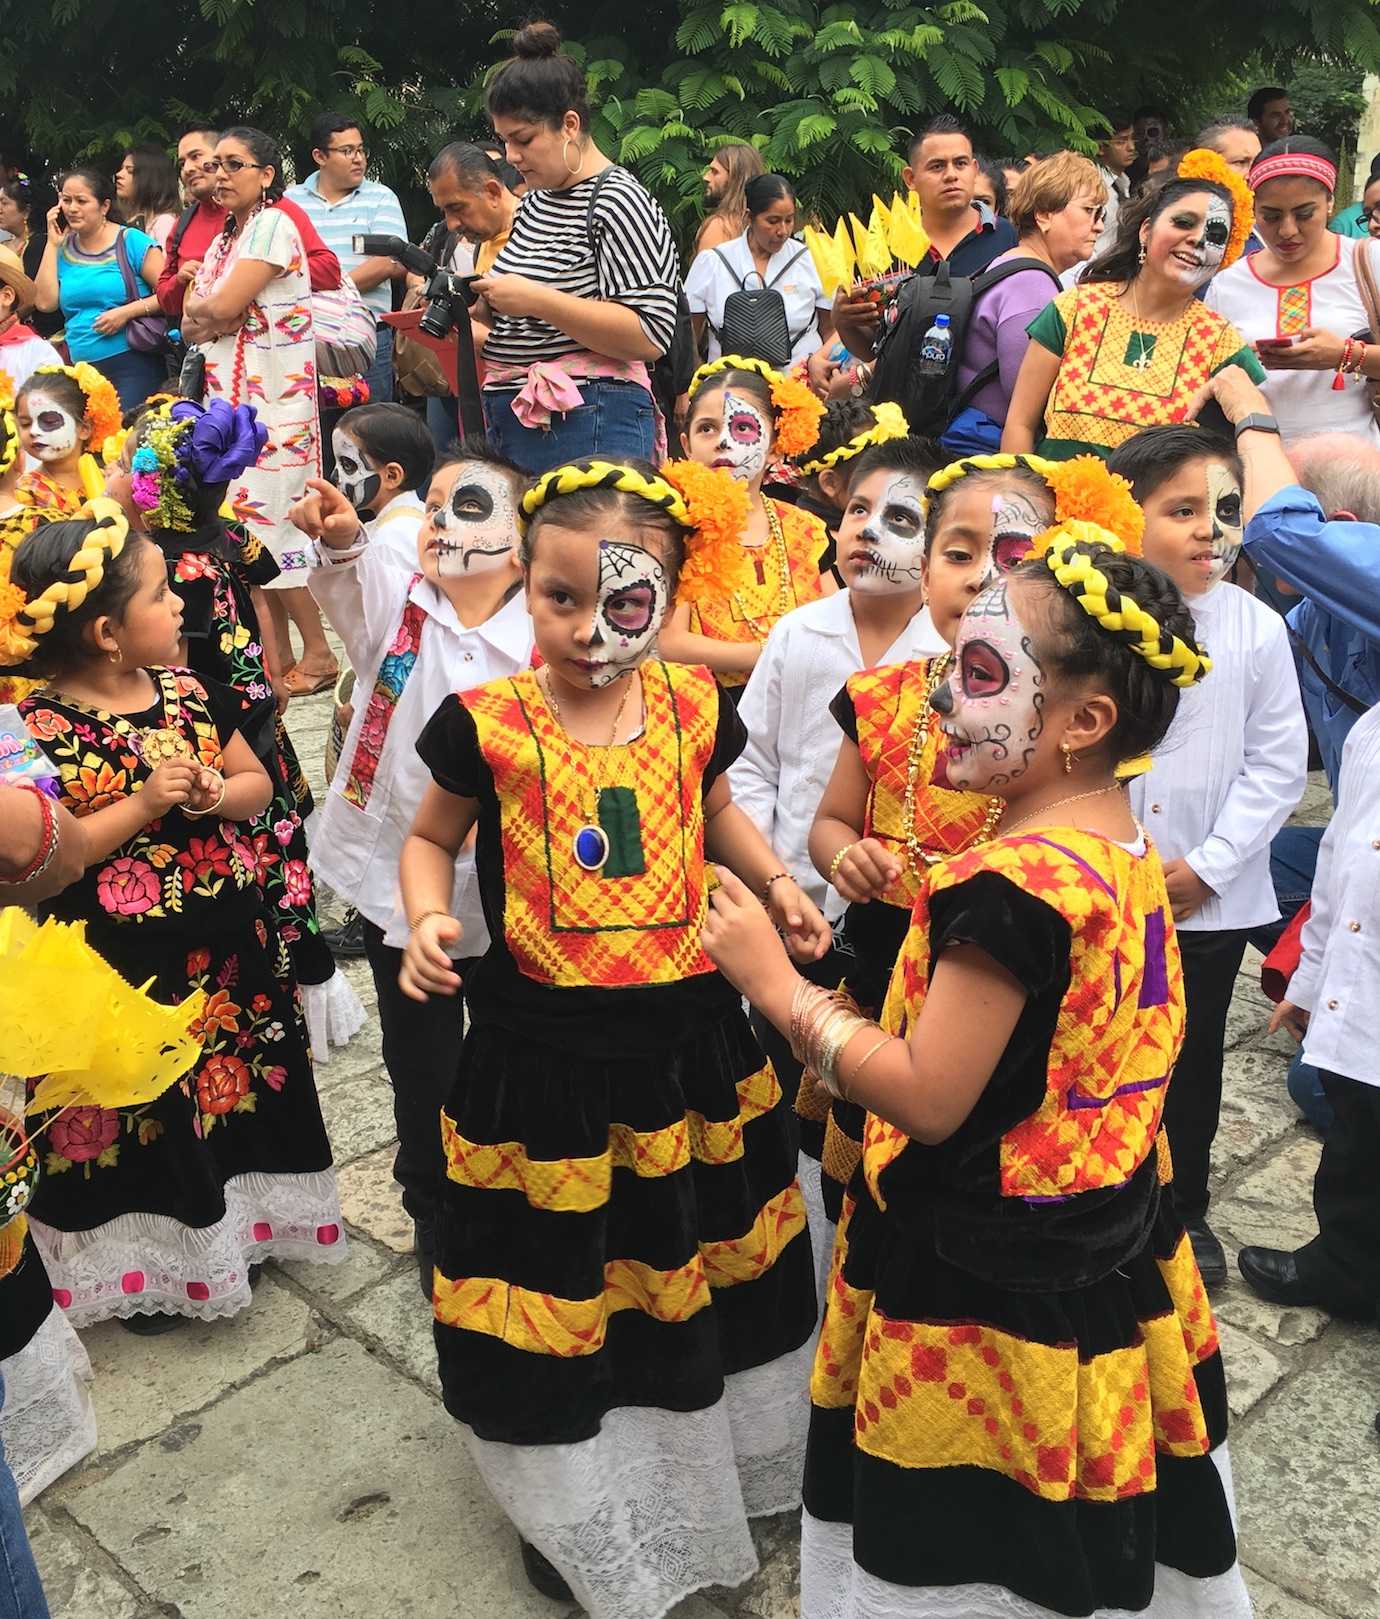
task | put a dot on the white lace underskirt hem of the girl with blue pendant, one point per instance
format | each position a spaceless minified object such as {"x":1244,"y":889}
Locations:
{"x":658,"y":1503}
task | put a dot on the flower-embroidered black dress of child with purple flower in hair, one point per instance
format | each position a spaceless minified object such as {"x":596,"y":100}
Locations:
{"x":215,"y":572}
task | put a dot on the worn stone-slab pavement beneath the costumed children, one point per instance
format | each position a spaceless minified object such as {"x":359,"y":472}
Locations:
{"x":297,"y":1460}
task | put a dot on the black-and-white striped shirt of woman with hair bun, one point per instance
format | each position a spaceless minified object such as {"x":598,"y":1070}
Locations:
{"x":631,"y":261}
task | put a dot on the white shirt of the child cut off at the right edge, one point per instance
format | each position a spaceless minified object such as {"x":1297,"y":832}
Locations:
{"x":1339,"y":977}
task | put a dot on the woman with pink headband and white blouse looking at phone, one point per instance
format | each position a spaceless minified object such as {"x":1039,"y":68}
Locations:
{"x":1301,"y":302}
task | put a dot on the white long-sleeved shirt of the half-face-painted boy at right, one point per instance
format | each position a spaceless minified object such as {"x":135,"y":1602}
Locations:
{"x":1233,"y":765}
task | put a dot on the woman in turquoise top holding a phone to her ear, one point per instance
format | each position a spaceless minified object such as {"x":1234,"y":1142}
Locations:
{"x":92,"y":266}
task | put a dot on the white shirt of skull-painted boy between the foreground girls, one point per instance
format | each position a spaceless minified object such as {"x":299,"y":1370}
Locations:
{"x":793,"y":737}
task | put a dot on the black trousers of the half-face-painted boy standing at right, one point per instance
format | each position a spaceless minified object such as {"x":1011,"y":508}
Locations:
{"x":1195,"y":1100}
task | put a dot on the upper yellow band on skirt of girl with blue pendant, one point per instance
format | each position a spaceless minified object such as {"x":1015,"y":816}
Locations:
{"x":582,"y":1184}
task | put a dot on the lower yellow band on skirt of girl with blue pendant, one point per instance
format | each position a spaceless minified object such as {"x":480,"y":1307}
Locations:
{"x":547,"y":1325}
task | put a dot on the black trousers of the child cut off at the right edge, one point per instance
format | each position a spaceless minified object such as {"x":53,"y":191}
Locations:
{"x":1342,"y":1264}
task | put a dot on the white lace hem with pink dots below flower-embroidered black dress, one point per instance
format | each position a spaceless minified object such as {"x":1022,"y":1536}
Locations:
{"x":155,"y":1265}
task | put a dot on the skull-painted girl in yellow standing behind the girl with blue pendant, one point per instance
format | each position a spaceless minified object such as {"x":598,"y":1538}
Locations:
{"x":743,"y":417}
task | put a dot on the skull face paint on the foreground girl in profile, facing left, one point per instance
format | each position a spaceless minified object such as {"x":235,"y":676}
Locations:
{"x":992,"y":708}
